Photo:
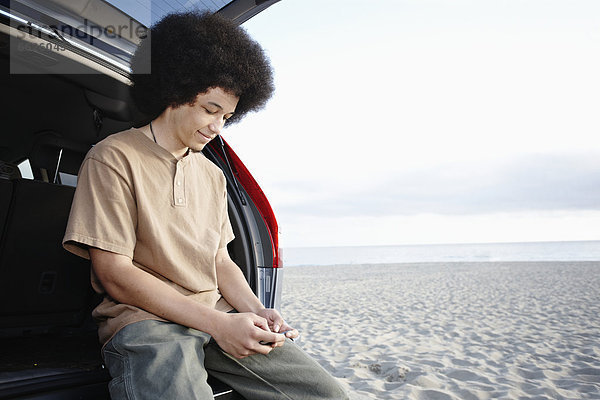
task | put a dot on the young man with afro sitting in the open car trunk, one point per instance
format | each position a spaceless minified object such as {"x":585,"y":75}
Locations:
{"x":150,"y":211}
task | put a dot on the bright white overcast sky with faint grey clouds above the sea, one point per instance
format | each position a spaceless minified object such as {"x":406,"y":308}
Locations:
{"x":403,"y":122}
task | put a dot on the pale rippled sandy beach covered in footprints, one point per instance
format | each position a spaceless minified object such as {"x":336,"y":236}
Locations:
{"x":452,"y":330}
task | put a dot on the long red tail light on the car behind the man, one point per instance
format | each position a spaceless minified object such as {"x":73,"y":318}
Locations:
{"x":258,"y":197}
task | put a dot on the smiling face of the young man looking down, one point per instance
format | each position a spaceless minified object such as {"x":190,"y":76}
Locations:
{"x":198,"y":124}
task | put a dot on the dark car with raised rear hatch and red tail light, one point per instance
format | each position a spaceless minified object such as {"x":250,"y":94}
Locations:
{"x":65,"y":85}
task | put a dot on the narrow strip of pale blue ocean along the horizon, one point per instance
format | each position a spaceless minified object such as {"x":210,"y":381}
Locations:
{"x":483,"y":252}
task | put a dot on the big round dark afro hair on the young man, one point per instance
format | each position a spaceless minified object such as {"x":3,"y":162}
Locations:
{"x":189,"y":53}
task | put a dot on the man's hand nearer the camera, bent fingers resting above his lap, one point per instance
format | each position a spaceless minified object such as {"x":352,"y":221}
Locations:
{"x":240,"y":335}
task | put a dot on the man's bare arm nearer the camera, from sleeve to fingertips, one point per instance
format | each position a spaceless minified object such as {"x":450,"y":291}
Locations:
{"x":237,"y":334}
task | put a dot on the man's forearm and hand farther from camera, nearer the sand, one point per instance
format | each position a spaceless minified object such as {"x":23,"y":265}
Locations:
{"x":235,"y":289}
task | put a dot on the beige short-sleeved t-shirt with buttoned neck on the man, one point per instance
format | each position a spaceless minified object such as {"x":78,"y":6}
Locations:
{"x":169,"y":216}
